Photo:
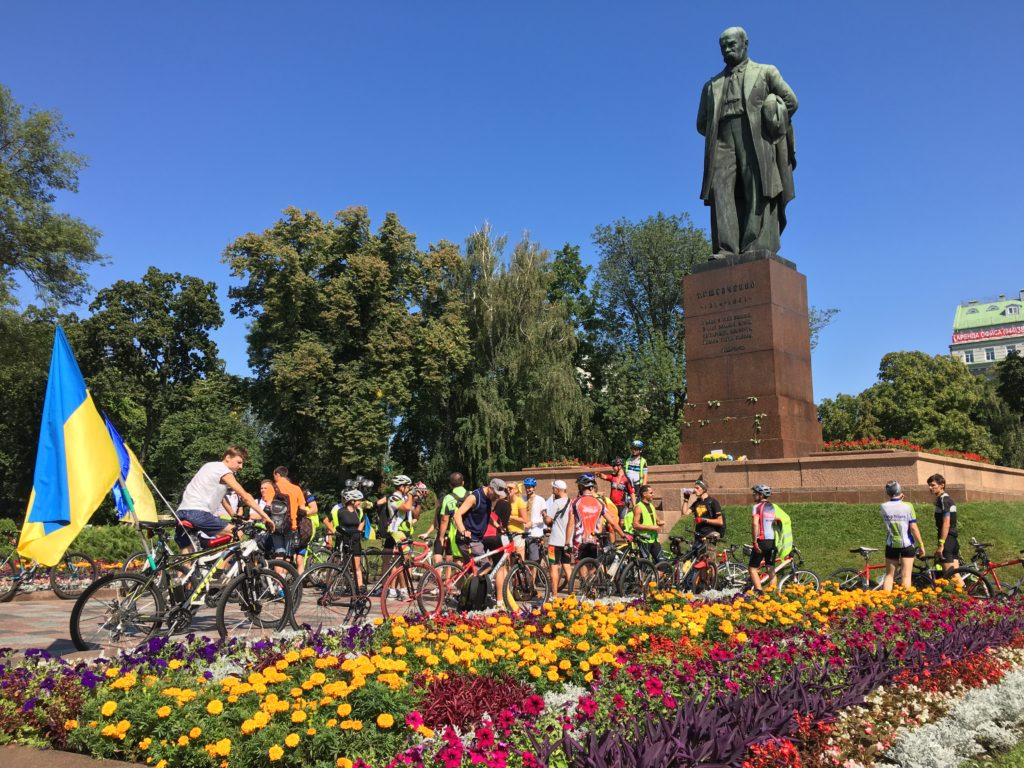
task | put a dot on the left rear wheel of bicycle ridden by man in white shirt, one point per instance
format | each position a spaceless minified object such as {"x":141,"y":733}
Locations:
{"x":116,"y":612}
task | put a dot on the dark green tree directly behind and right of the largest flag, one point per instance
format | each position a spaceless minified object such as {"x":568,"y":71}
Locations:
{"x":146,"y":344}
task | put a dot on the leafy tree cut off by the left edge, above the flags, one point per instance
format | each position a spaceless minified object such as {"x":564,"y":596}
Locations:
{"x":50,"y":248}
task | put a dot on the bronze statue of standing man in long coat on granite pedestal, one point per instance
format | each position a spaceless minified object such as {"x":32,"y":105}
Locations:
{"x":749,"y":154}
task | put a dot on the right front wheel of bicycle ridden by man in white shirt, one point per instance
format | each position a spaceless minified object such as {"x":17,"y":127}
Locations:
{"x":254,"y":606}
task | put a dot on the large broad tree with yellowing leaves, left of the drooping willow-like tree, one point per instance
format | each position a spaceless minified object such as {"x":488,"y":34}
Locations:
{"x":335,"y":340}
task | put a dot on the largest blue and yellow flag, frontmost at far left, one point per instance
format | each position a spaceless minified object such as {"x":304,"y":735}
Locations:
{"x":76,"y":462}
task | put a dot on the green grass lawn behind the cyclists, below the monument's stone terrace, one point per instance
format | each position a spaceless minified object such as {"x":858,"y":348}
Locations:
{"x":826,"y":533}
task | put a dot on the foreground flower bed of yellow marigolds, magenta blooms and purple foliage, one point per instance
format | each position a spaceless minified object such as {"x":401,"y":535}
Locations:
{"x":581,"y":686}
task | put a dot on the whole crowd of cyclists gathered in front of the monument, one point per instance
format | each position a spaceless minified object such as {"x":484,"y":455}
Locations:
{"x":557,"y":532}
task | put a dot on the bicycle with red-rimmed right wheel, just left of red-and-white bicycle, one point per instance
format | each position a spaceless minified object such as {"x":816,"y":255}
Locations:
{"x":408,"y":587}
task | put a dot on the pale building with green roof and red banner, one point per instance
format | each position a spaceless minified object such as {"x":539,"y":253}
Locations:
{"x":986,"y":332}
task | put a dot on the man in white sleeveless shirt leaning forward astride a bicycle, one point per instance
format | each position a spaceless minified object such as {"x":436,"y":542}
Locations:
{"x":204,"y":498}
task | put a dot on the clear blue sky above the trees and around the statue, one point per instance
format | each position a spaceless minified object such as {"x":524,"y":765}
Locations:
{"x":202,"y":121}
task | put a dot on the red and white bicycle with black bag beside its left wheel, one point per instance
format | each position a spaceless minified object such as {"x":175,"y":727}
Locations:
{"x":526,"y":584}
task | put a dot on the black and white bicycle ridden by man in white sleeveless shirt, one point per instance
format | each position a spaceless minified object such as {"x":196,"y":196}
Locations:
{"x":123,"y":610}
